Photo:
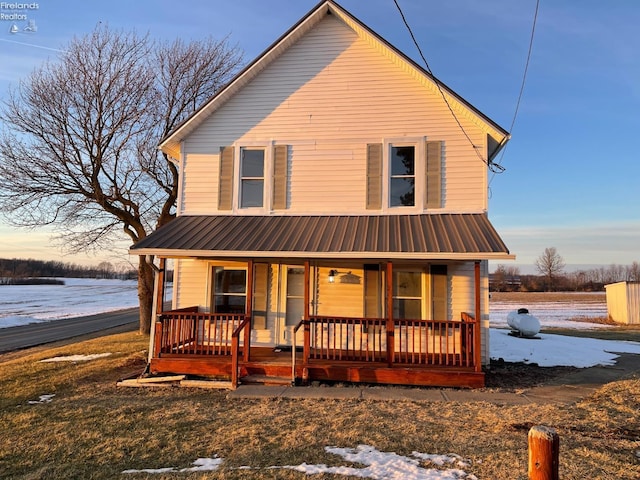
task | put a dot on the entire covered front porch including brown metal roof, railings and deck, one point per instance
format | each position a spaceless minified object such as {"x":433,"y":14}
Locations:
{"x":393,"y":299}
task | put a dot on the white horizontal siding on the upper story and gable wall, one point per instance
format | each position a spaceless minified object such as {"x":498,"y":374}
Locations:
{"x":327,"y":97}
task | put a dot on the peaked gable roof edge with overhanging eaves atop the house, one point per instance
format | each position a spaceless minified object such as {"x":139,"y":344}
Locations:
{"x":171,"y":143}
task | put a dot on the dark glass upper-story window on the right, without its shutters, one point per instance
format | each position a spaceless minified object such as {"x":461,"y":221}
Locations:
{"x":402,"y":187}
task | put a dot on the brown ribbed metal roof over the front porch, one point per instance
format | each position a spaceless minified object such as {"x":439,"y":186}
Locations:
{"x":437,"y":235}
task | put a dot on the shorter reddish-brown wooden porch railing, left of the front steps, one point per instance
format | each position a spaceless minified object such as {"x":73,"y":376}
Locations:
{"x":189,"y":332}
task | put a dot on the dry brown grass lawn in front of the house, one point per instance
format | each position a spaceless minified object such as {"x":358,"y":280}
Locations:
{"x":93,"y":429}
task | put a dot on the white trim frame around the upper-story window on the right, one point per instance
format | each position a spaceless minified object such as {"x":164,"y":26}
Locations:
{"x":419,"y":171}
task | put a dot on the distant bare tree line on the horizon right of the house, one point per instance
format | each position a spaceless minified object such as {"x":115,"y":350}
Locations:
{"x":509,"y":279}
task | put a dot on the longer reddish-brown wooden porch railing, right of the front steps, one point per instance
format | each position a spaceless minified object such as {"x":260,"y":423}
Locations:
{"x":416,"y":342}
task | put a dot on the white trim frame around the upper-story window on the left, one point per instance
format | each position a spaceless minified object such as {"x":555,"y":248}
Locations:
{"x":267,"y":146}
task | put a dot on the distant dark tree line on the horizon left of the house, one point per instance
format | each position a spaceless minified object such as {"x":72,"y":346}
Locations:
{"x":15,"y":271}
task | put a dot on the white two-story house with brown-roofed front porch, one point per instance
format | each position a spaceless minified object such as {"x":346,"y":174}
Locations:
{"x":332,"y":220}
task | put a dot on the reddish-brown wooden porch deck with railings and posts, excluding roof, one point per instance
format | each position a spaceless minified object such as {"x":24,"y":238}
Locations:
{"x":383,"y":349}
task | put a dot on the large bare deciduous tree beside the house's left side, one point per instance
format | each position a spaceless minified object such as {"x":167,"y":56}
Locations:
{"x":79,"y":147}
